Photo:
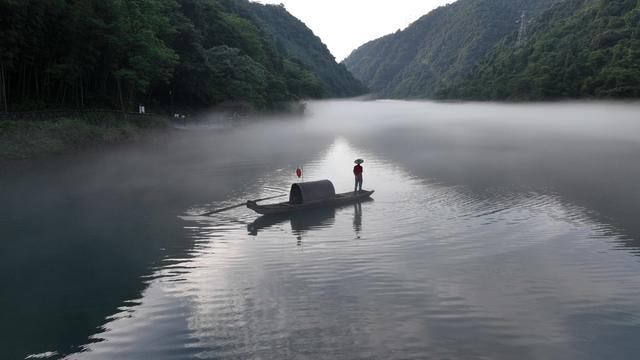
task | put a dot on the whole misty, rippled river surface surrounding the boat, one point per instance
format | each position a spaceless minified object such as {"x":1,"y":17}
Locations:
{"x":496,"y":232}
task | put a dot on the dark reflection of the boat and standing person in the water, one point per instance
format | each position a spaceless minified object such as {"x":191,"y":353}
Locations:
{"x":306,"y":221}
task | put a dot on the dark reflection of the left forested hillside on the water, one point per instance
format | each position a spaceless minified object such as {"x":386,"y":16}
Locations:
{"x":76,"y":252}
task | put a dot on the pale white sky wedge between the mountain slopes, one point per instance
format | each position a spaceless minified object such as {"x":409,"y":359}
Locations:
{"x":343,"y":25}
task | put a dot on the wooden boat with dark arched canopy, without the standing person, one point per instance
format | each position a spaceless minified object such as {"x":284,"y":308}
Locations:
{"x":310,"y":195}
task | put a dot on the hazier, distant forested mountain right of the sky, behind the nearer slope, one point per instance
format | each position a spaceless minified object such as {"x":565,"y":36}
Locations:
{"x":439,"y":48}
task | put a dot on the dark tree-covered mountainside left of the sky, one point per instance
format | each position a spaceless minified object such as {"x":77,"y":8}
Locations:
{"x":198,"y":53}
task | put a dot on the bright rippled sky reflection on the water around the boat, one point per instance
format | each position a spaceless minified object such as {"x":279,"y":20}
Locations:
{"x":423,"y":271}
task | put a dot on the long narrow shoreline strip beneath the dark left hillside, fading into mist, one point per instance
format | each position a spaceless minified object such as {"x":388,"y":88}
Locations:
{"x":37,"y":134}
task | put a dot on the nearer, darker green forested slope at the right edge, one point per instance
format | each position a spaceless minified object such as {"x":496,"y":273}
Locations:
{"x":578,"y":49}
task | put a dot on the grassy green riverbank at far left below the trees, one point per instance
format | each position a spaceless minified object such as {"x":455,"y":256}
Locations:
{"x":22,"y":139}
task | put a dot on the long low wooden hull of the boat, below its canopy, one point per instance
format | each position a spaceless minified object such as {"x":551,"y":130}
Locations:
{"x":286,"y":207}
